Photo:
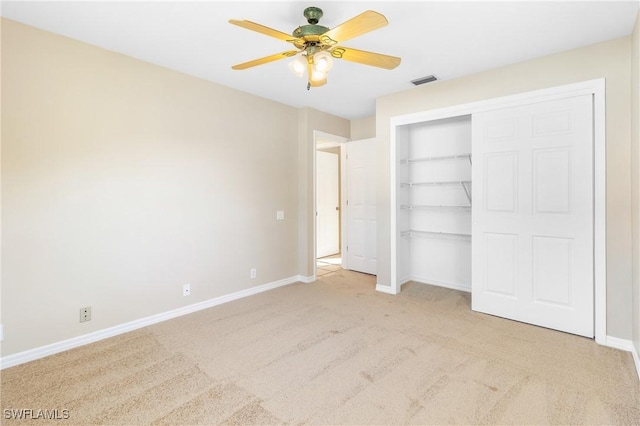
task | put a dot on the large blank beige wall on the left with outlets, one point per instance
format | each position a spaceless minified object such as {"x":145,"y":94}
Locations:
{"x":122,"y":181}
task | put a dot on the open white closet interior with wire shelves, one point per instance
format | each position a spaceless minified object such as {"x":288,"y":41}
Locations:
{"x":433,"y":184}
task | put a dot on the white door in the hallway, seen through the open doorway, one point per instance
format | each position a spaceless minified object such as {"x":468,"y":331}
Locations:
{"x":328,"y":204}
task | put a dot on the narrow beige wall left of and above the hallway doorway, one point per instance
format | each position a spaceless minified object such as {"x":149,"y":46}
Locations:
{"x":309,"y":120}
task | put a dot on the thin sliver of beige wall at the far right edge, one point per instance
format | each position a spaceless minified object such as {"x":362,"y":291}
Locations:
{"x":635,"y":177}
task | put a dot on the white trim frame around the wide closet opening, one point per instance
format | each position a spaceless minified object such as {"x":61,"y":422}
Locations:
{"x":596,"y":88}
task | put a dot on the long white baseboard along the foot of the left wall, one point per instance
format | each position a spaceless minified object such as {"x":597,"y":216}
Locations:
{"x":54,"y":348}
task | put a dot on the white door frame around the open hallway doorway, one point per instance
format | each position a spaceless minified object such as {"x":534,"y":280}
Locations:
{"x":327,"y":140}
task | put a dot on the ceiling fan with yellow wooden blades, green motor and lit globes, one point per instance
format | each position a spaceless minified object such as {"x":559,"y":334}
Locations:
{"x":318,"y":45}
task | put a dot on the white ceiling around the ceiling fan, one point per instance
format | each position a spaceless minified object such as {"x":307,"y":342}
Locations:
{"x":449,"y":39}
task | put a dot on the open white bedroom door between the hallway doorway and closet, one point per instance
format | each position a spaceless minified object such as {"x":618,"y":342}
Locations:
{"x":361,"y":206}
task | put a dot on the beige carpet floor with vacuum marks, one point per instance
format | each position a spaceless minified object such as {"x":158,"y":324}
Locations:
{"x":333,"y":352}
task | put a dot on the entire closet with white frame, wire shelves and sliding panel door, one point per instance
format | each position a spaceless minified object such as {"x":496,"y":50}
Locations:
{"x":505,"y":199}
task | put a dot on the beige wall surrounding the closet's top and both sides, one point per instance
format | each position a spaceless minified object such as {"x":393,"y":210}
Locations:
{"x":610,"y":60}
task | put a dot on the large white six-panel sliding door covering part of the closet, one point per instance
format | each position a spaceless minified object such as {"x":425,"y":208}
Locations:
{"x":532,"y":238}
